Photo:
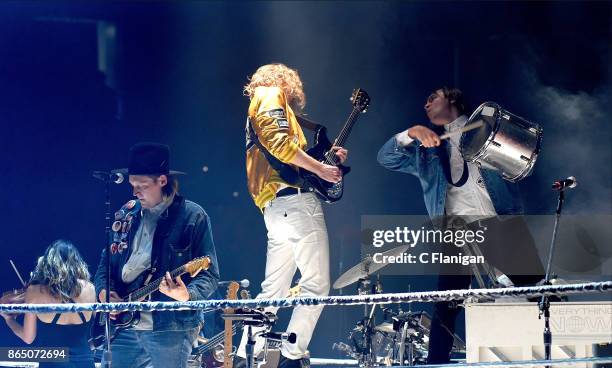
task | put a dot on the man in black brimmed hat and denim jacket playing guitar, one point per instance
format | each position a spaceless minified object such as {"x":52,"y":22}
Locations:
{"x":168,"y":232}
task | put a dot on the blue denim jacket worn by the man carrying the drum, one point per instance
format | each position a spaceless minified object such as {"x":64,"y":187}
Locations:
{"x":425,"y":164}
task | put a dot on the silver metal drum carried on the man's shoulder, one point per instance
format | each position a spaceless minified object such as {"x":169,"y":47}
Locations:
{"x":505,"y":142}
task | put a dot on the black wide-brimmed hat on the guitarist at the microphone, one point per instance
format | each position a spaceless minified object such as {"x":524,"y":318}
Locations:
{"x":149,"y":159}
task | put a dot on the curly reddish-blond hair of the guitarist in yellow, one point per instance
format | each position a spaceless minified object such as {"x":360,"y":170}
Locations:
{"x":278,"y":75}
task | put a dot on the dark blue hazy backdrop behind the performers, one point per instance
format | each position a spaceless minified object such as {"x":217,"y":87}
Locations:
{"x":174,"y":73}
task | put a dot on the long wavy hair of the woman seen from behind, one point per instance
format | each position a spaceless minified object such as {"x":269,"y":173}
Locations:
{"x":60,"y":269}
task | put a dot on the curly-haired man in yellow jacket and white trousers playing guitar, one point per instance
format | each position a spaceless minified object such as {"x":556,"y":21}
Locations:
{"x":297,"y":235}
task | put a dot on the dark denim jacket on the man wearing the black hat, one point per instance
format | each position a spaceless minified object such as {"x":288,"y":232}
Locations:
{"x":183,"y":233}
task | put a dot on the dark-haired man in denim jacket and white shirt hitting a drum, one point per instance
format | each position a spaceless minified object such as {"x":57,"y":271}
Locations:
{"x":454,"y":187}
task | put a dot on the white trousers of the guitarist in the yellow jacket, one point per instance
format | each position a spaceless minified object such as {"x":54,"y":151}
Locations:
{"x":297,"y":239}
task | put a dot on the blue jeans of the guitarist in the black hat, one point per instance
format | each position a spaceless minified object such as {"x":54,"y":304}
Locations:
{"x":152,"y":349}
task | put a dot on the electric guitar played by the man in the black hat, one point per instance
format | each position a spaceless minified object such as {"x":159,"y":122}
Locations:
{"x":125,"y":320}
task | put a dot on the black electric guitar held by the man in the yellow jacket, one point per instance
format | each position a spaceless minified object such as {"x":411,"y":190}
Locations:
{"x":321,"y":151}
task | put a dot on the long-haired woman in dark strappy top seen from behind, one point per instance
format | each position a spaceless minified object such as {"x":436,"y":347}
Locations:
{"x":60,"y":276}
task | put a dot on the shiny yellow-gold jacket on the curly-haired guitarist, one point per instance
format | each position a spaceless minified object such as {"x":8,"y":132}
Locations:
{"x":279,"y":132}
